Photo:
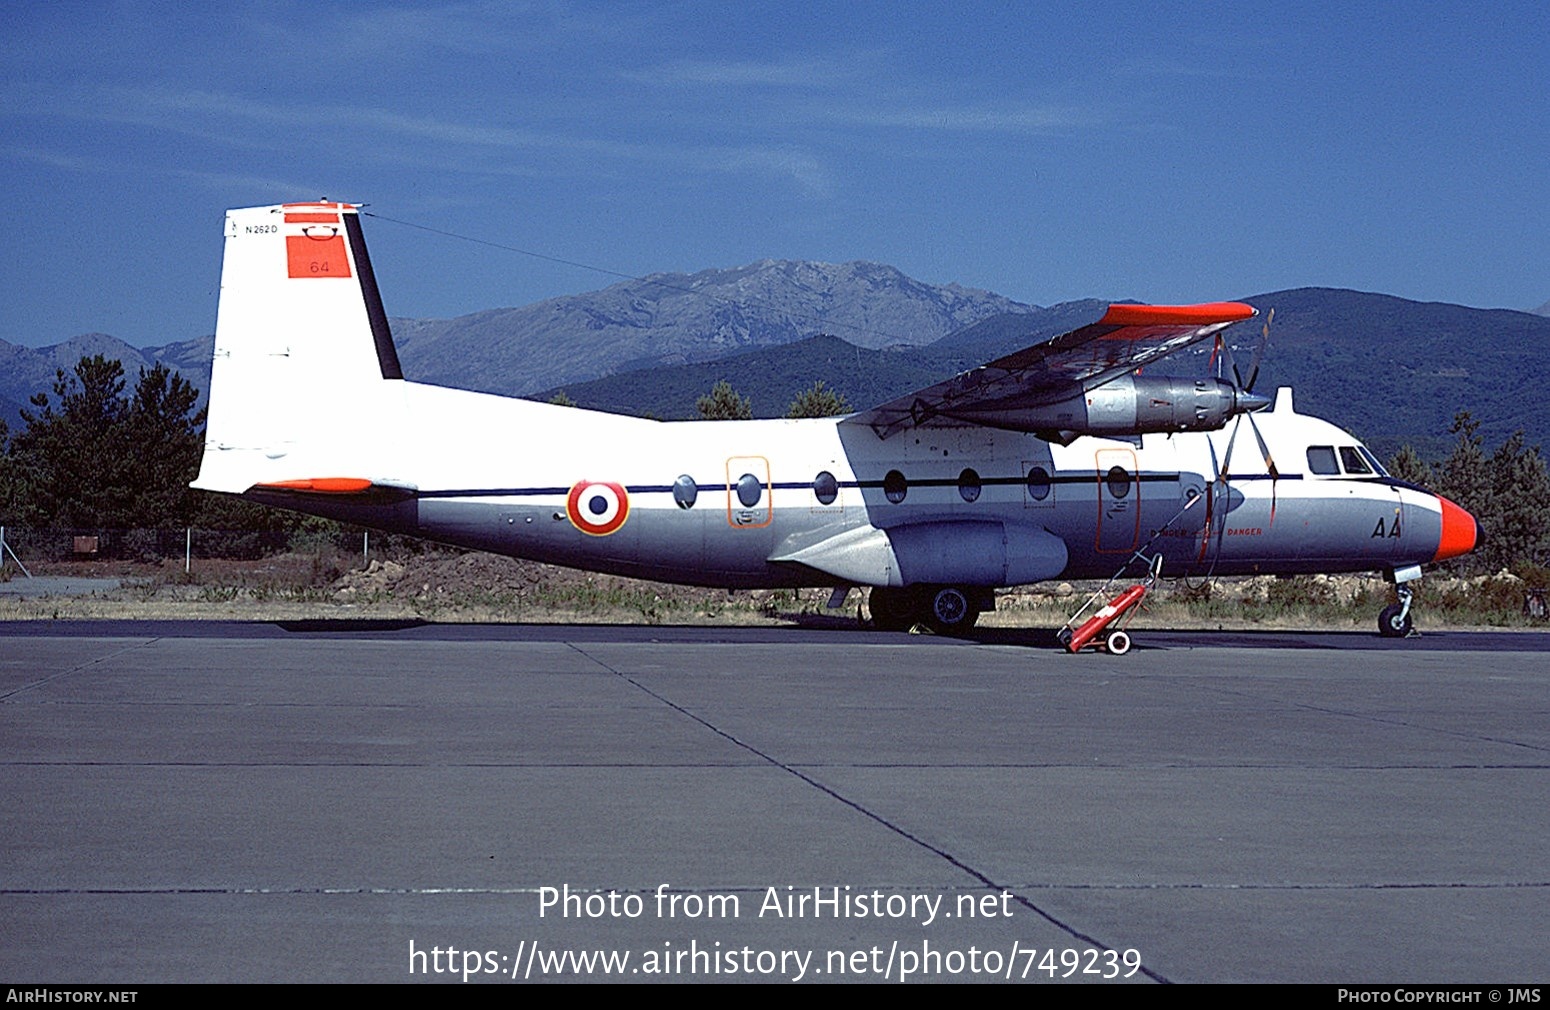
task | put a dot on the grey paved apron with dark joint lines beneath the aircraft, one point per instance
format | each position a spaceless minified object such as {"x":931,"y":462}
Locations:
{"x":384,"y":802}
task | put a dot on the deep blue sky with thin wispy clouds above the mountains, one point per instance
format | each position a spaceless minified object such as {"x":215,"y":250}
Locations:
{"x":1049,"y":153}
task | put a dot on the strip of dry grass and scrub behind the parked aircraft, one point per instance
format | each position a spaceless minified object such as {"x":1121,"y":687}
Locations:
{"x":447,"y":586}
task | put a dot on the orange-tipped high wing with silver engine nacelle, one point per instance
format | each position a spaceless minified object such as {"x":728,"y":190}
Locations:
{"x":1083,"y":382}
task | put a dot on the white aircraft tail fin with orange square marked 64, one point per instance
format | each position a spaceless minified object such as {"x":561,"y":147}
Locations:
{"x":305,"y":359}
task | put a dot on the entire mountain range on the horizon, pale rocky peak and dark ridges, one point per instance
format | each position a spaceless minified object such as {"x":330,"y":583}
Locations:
{"x":1390,"y":369}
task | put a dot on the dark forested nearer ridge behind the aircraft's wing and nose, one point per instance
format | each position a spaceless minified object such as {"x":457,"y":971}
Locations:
{"x":1388,"y":369}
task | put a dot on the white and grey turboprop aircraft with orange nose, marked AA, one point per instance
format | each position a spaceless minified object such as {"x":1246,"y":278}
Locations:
{"x":1061,"y":461}
